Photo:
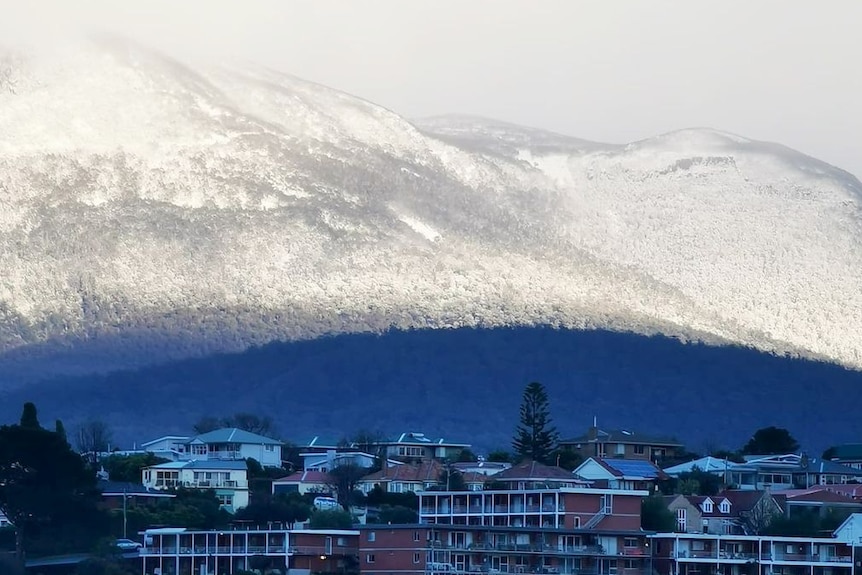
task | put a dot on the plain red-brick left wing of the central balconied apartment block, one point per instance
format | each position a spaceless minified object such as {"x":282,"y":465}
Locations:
{"x":393,"y":551}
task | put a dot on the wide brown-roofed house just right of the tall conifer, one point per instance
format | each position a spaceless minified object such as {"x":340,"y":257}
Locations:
{"x":621,"y":443}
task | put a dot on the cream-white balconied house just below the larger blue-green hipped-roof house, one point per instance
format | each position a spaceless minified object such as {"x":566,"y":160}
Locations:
{"x":228,"y":478}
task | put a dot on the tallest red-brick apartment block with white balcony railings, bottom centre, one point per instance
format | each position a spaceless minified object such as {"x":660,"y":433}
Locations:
{"x":565,"y":530}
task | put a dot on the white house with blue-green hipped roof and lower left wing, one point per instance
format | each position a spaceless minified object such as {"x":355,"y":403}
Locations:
{"x":228,"y":443}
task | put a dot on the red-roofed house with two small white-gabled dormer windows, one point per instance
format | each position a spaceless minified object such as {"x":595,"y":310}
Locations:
{"x":729,"y":512}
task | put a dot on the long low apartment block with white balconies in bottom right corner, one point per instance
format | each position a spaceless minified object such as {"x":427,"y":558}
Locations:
{"x":705,"y":554}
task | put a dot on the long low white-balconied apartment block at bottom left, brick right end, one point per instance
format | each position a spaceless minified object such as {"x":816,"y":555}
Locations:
{"x":300,"y":552}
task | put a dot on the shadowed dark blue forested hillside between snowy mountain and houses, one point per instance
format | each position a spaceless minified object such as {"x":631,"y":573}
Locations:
{"x":465,"y":385}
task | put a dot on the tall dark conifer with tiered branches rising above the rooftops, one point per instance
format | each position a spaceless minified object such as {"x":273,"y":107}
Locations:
{"x":535,"y":436}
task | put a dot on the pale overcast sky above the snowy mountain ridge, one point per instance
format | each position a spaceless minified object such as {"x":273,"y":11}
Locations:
{"x":616,"y":71}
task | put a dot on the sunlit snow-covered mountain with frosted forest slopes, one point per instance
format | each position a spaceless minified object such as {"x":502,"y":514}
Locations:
{"x":230,"y":205}
